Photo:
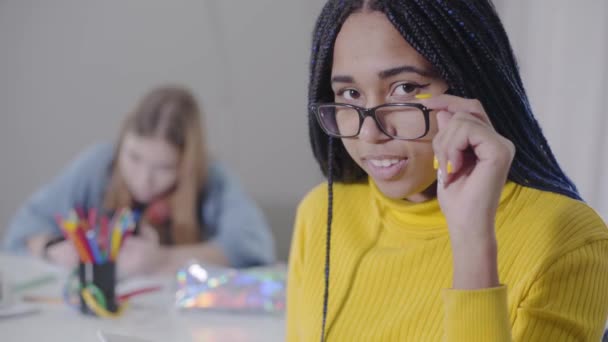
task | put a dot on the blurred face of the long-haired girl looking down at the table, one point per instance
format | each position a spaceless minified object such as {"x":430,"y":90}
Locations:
{"x":149,"y":166}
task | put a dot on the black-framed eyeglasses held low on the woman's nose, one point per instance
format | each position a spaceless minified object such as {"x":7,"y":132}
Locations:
{"x":403,"y":121}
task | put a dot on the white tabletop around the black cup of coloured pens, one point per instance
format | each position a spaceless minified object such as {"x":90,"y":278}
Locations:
{"x":150,"y":316}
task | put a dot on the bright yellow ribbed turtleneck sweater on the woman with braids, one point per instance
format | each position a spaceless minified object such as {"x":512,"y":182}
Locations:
{"x":391,"y":270}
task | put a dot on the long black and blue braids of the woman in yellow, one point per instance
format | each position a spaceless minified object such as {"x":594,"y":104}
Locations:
{"x":467,"y":45}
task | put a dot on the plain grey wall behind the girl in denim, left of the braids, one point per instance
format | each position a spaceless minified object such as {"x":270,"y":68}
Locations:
{"x":70,"y":70}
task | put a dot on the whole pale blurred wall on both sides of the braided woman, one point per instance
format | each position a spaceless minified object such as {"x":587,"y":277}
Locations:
{"x":71,"y":69}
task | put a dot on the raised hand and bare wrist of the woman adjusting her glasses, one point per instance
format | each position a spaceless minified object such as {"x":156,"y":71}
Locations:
{"x":474,"y":161}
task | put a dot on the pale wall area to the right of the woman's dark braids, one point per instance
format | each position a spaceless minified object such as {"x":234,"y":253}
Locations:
{"x":562,"y":49}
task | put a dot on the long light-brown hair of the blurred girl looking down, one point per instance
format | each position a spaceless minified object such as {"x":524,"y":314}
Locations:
{"x":172,"y":113}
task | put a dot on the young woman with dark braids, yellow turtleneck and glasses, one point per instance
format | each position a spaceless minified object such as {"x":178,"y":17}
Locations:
{"x":447,"y":213}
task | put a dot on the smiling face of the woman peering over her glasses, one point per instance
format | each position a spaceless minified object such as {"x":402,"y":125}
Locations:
{"x":374,"y":65}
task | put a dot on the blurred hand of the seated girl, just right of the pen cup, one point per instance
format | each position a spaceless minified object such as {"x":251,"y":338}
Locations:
{"x":141,"y":254}
